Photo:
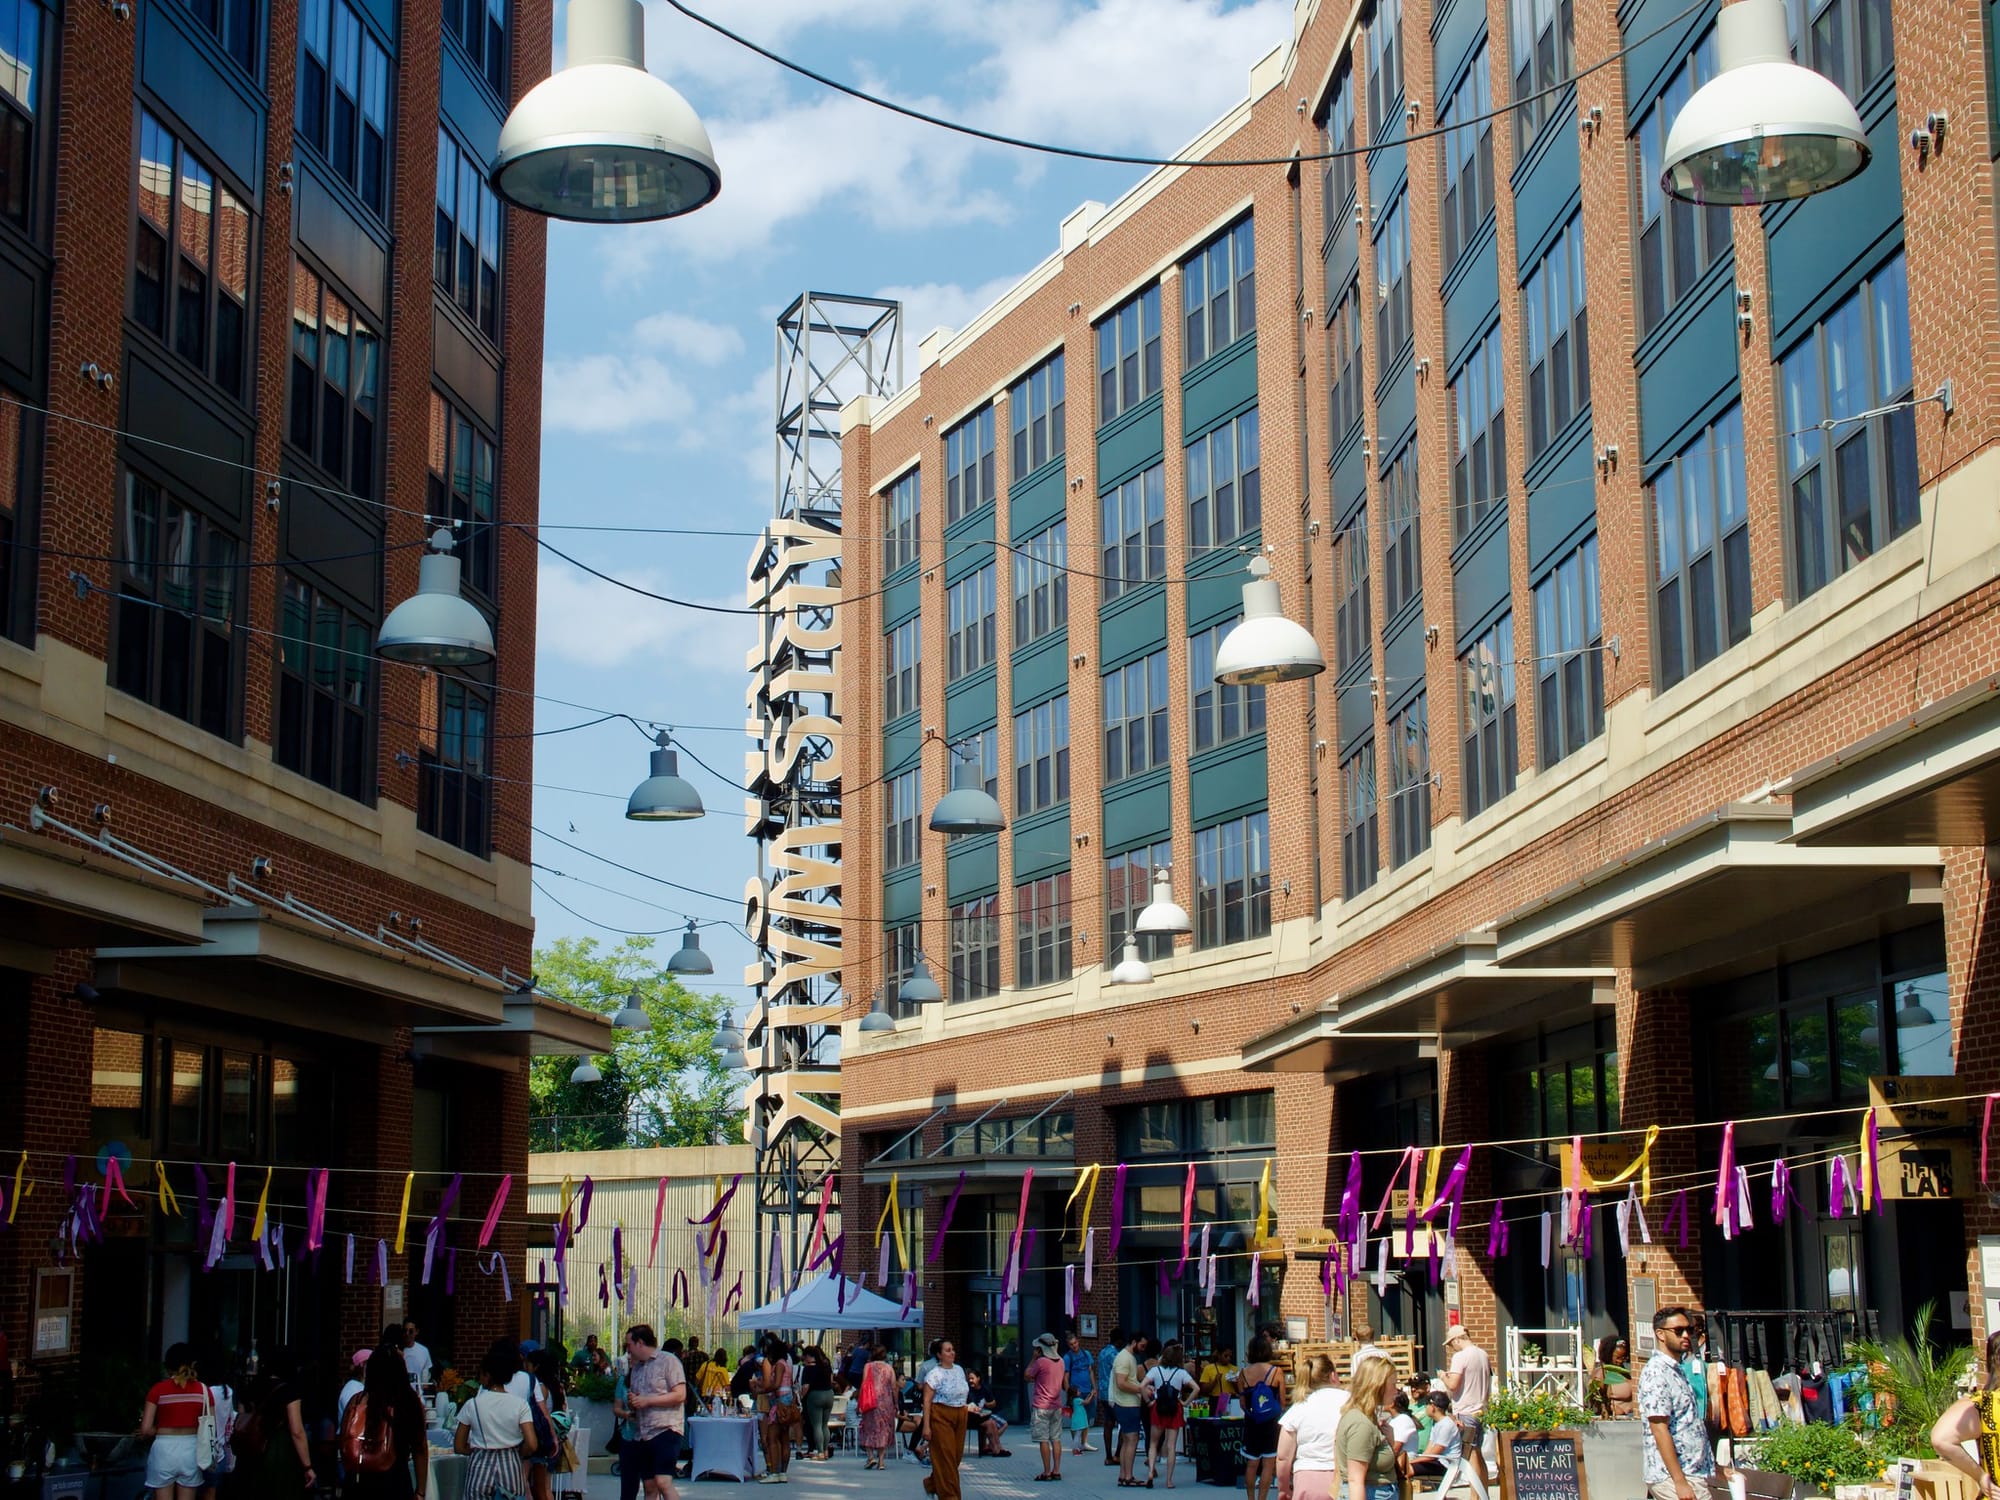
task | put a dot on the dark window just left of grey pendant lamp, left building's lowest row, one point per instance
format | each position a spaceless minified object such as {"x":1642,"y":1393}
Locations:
{"x":325,"y":691}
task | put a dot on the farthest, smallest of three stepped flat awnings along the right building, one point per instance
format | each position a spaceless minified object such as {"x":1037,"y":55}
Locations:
{"x":1457,"y":993}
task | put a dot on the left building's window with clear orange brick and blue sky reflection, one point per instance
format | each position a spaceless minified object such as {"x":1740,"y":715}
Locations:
{"x":191,"y":259}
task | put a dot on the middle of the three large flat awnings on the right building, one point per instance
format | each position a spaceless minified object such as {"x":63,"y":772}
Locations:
{"x":1713,"y":893}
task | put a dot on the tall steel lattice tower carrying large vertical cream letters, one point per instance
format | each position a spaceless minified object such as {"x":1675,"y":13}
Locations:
{"x":831,"y":349}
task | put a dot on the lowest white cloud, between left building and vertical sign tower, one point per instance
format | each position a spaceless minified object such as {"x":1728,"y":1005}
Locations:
{"x":595,"y":625}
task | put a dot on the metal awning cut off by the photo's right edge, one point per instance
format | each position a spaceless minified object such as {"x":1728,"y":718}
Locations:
{"x":1931,"y":779}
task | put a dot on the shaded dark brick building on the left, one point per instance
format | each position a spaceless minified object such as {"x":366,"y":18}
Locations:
{"x":263,"y":895}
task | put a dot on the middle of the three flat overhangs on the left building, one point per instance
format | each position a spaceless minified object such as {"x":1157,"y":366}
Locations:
{"x":269,"y":963}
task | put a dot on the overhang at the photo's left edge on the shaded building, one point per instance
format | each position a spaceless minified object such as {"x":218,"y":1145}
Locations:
{"x":59,"y":895}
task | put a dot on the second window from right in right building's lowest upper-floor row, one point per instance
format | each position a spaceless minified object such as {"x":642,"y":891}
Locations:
{"x":1701,"y":549}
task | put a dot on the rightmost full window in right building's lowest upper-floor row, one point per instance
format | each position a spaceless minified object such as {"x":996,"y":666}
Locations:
{"x":1855,"y":485}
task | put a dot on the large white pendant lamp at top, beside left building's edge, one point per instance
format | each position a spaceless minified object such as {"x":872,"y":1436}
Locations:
{"x":605,"y":141}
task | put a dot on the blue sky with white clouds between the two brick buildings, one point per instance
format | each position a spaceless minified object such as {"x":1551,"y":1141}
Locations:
{"x":659,"y":373}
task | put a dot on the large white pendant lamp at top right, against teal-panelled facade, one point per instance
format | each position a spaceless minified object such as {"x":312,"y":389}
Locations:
{"x":1763,"y":129}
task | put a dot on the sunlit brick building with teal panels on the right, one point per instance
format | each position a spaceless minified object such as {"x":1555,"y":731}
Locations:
{"x":1649,"y":777}
